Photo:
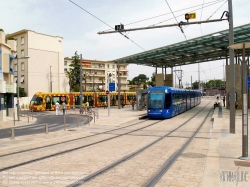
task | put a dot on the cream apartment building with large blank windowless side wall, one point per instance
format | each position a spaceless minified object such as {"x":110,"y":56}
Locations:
{"x":42,"y":70}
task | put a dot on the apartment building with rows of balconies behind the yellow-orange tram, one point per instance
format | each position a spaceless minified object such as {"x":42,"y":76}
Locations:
{"x":95,"y":74}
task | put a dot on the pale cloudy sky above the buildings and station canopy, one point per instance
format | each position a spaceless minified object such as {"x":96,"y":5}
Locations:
{"x":79,"y":27}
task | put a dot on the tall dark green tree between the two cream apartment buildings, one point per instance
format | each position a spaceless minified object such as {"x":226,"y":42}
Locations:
{"x":74,"y":73}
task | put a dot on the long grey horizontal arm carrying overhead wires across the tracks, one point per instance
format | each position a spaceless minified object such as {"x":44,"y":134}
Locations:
{"x":161,"y":26}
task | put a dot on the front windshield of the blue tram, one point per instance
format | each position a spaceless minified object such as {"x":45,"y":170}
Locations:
{"x":155,"y":99}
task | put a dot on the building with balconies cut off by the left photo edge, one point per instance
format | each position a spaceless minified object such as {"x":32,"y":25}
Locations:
{"x":7,"y":85}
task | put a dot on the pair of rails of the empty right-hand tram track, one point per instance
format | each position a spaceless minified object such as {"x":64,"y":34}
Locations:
{"x":172,"y":158}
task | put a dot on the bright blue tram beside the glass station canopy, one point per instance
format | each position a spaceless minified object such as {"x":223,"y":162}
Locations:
{"x":166,"y":102}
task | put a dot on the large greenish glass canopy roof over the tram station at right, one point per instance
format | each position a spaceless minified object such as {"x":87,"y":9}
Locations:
{"x":206,"y":48}
